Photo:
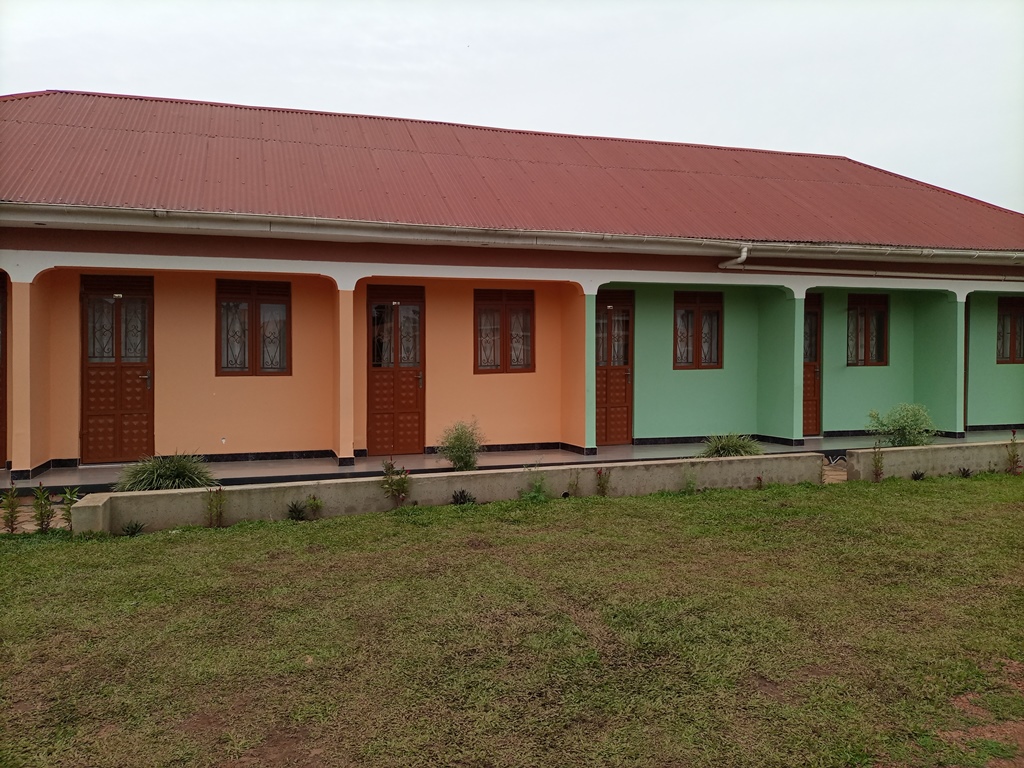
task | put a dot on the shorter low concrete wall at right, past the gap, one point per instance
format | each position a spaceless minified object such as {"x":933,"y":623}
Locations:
{"x":932,"y":460}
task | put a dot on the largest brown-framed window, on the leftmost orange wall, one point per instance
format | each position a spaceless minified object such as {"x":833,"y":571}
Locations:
{"x":253,"y":328}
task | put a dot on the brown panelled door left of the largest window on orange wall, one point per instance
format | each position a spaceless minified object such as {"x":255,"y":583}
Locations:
{"x":117,"y":369}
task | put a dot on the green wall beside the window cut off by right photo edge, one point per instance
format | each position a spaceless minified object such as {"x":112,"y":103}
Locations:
{"x":996,"y":394}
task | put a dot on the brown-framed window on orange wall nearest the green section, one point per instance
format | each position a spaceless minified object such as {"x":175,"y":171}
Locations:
{"x":504,"y":332}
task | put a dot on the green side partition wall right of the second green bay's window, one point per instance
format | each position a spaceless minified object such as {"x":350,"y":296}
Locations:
{"x":938,"y":359}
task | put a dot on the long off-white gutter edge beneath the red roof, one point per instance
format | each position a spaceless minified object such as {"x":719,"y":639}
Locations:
{"x":344,"y":231}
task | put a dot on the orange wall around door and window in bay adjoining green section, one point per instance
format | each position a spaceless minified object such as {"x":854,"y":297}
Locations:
{"x":509,"y":408}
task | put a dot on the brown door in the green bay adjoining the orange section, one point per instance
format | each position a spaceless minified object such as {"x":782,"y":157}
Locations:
{"x":614,"y":337}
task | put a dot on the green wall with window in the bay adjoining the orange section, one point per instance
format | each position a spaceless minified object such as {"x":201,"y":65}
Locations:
{"x":756,"y":390}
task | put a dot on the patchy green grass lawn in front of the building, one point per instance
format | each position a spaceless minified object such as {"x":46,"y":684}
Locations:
{"x":858,"y":624}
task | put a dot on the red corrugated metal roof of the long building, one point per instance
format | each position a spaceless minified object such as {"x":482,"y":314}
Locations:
{"x":99,"y":150}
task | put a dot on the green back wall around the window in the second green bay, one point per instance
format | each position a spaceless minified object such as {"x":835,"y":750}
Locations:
{"x":848,"y":393}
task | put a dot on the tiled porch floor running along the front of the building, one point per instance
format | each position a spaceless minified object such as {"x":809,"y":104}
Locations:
{"x":100,"y":478}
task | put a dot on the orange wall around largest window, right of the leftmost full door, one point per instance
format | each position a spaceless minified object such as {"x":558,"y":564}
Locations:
{"x":198,"y":411}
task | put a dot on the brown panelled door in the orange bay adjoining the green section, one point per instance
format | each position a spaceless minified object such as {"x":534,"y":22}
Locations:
{"x":396,"y":412}
